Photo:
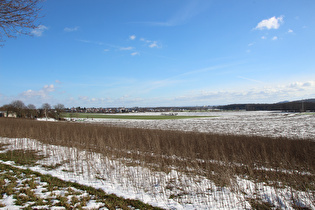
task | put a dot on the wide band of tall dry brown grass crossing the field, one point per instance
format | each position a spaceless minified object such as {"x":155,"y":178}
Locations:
{"x":218,"y":157}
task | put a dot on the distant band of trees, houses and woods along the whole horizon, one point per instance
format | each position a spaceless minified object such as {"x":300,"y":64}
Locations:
{"x":18,"y":109}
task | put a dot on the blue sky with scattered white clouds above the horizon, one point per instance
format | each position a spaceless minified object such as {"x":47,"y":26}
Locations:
{"x":118,"y":53}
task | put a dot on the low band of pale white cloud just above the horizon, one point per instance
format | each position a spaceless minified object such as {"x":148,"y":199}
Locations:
{"x":262,"y":93}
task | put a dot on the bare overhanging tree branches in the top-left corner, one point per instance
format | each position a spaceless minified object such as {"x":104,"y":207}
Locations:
{"x":18,"y":17}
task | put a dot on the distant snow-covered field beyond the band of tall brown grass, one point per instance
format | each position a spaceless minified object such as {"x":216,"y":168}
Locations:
{"x":262,"y":123}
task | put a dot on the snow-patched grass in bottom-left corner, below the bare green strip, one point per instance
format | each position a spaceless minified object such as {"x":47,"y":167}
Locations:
{"x":30,"y":191}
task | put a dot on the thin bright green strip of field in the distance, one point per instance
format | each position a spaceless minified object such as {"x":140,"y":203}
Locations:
{"x":129,"y":117}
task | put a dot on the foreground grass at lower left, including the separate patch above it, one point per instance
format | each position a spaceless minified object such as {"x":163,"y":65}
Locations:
{"x":32,"y":190}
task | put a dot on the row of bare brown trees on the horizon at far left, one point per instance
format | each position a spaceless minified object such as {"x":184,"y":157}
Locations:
{"x":30,"y":111}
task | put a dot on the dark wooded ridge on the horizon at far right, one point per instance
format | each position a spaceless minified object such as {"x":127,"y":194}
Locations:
{"x":294,"y":106}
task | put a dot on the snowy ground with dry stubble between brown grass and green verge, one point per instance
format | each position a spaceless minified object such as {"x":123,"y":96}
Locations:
{"x":173,"y":190}
